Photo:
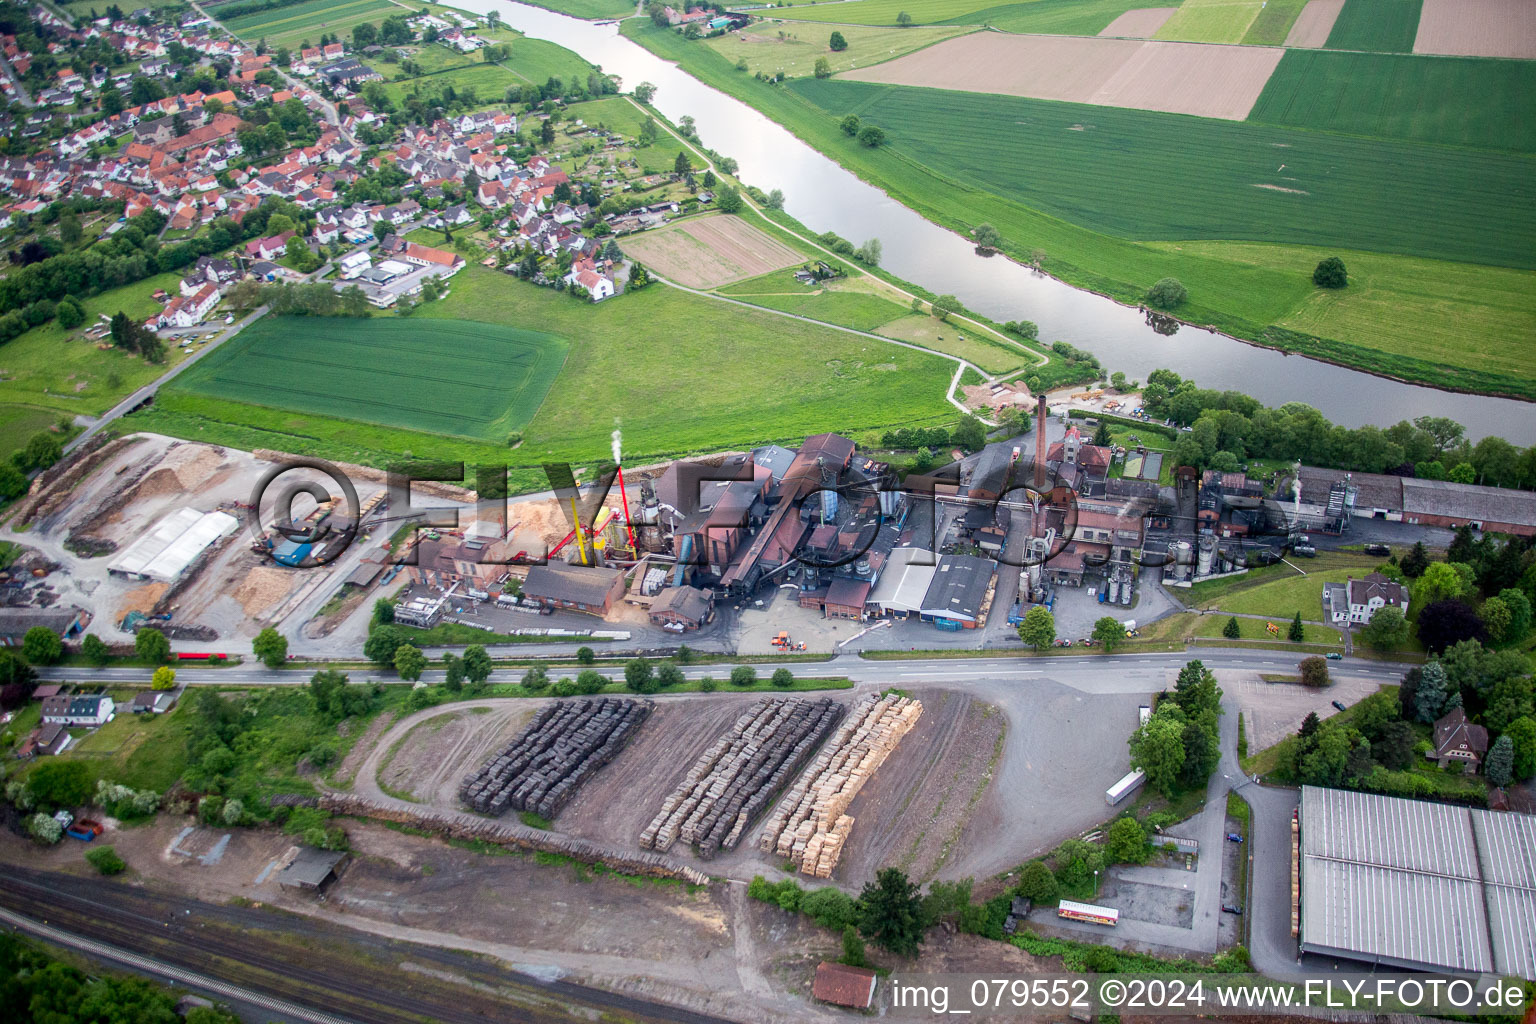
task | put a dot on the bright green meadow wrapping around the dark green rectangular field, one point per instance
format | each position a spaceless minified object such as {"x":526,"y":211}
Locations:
{"x":654,"y":363}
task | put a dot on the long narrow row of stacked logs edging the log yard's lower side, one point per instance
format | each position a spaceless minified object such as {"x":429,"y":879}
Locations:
{"x":463,"y":827}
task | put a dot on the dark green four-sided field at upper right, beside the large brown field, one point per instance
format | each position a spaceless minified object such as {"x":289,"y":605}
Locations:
{"x":1448,"y":101}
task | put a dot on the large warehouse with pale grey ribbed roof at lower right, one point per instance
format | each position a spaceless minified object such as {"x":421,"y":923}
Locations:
{"x":1426,"y":887}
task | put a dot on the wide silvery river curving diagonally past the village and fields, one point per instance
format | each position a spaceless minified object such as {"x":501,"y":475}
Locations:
{"x":826,"y":197}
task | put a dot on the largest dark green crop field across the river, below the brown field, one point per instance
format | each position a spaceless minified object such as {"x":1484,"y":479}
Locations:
{"x":1207,"y":179}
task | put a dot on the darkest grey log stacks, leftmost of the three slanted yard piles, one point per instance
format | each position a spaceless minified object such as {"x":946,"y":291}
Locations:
{"x":548,"y":764}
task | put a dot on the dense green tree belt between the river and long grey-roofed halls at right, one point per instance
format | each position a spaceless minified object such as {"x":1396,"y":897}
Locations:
{"x":1230,"y":428}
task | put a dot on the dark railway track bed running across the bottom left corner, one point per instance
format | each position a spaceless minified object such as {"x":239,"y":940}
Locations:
{"x":310,"y":965}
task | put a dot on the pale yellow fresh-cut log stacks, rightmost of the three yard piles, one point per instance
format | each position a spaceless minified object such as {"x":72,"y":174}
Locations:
{"x":810,"y":825}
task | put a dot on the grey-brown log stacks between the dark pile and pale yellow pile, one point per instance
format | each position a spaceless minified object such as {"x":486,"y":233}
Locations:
{"x":737,"y":779}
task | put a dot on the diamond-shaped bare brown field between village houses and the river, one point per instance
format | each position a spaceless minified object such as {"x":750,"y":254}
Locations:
{"x":709,"y":253}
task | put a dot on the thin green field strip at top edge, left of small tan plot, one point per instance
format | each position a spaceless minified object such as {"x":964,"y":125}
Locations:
{"x":1058,"y":18}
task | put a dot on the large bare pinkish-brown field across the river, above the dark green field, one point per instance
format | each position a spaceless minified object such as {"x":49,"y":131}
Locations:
{"x":1217,"y":82}
